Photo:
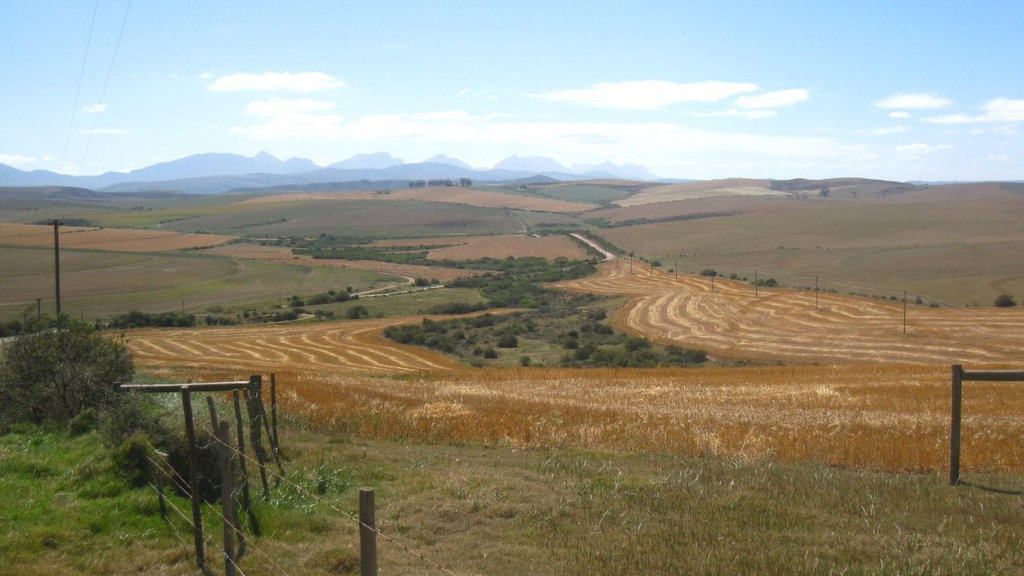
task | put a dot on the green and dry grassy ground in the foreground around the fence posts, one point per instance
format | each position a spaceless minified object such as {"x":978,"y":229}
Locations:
{"x":472,"y":510}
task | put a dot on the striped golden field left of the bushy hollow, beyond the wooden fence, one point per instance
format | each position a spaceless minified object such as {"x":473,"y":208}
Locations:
{"x":351,"y":347}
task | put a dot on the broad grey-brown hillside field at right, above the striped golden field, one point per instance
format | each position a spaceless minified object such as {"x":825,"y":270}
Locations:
{"x":952,"y":244}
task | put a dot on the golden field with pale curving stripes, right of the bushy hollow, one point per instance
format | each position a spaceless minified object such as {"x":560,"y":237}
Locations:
{"x":786,"y":325}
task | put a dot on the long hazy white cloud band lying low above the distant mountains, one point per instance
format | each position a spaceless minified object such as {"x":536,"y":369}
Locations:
{"x":653,"y":143}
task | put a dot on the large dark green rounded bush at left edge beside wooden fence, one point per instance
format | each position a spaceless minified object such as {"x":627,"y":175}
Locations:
{"x":56,"y":371}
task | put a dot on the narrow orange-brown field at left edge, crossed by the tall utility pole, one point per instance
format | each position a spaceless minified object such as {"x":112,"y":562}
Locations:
{"x":121,"y":240}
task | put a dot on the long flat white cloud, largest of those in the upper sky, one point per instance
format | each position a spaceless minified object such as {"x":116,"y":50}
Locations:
{"x":647,"y":95}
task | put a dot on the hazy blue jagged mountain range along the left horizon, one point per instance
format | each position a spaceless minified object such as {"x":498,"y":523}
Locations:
{"x":218,"y":173}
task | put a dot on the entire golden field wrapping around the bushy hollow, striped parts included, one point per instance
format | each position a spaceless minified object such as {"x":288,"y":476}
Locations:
{"x":859,"y":393}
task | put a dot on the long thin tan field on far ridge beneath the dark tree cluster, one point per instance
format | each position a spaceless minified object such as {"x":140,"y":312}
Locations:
{"x":451,"y":195}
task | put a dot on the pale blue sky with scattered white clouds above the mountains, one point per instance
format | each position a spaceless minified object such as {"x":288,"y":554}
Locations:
{"x":902,"y":91}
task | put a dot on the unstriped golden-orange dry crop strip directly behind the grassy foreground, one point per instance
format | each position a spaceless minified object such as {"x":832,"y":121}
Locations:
{"x":886,"y":419}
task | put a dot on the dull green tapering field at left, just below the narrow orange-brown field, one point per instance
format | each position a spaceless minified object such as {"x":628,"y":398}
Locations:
{"x":98,"y":284}
